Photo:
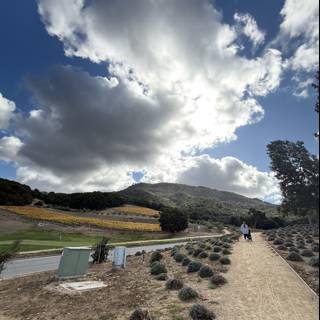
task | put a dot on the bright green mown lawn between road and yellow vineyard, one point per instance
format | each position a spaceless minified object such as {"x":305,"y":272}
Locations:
{"x":34,"y":239}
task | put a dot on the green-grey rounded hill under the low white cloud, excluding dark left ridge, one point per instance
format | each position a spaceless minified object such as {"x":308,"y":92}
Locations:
{"x":194,"y":200}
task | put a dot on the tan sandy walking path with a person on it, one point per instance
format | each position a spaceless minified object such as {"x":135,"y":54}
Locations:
{"x":263,"y":287}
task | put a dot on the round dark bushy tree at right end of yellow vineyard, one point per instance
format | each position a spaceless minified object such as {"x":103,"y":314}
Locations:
{"x":172,"y":220}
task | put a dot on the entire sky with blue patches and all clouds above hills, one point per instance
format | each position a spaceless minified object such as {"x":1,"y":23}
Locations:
{"x":99,"y":95}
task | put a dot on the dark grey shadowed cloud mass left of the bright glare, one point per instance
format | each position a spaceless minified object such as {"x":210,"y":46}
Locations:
{"x":86,"y":122}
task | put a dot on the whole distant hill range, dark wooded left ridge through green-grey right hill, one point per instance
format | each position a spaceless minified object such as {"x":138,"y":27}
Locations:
{"x":197,"y":202}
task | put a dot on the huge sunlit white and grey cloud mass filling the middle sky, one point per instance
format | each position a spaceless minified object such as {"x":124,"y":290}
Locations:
{"x":176,"y":85}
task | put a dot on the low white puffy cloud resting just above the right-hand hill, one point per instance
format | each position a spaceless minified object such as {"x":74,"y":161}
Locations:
{"x":228,"y":174}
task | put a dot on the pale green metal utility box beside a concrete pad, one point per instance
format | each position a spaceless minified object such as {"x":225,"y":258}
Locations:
{"x":74,"y":262}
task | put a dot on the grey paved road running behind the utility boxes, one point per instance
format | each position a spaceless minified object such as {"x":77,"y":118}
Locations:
{"x":22,"y":267}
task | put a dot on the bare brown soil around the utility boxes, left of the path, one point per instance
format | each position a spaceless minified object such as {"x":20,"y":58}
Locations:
{"x":32,"y":297}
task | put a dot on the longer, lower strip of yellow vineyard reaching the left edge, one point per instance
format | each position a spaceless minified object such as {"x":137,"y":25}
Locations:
{"x":46,"y":215}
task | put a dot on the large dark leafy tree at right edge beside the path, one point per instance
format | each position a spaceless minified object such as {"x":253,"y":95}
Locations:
{"x":298,"y":173}
